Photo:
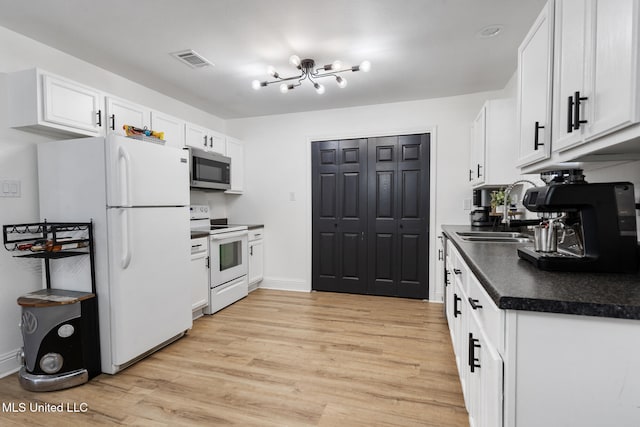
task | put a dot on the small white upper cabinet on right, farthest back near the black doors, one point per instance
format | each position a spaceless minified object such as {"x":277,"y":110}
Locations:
{"x":493,"y":152}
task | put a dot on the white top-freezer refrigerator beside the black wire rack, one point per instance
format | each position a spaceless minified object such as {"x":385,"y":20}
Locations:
{"x":137,"y":194}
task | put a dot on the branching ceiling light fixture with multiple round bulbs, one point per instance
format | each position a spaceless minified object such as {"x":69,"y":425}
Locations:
{"x":307,"y":72}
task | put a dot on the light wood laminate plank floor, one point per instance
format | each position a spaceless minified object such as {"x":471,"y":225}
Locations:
{"x":278,"y":359}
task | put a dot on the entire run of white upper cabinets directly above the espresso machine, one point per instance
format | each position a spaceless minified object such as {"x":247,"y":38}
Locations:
{"x":594,"y":51}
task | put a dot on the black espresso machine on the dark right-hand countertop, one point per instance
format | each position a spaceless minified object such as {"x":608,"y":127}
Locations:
{"x":600,"y":217}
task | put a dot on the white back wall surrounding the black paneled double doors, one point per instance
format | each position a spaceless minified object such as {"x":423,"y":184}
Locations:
{"x":278,"y":170}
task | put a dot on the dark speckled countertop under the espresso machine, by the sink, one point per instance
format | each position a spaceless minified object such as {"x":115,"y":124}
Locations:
{"x":516,"y":284}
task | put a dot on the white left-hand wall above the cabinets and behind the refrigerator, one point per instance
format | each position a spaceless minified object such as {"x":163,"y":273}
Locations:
{"x":18,"y":161}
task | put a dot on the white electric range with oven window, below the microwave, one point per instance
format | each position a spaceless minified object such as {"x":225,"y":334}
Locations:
{"x":228,"y":255}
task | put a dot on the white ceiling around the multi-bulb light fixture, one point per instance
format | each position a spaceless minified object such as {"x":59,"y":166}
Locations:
{"x":418,"y":49}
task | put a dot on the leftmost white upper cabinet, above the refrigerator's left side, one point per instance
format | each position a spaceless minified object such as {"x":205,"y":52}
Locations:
{"x":47,"y":103}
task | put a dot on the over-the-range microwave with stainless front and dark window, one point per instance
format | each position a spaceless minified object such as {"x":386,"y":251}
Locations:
{"x":209,"y":171}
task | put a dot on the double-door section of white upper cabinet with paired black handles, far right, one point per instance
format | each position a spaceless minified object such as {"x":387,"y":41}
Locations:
{"x":596,"y":69}
